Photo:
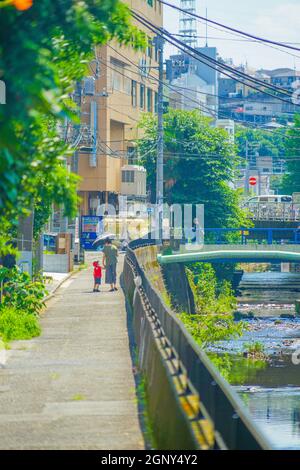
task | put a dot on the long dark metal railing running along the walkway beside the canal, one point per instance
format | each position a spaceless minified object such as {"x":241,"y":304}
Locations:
{"x":233,"y":426}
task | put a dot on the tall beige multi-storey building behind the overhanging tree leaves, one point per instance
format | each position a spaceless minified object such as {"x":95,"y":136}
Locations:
{"x":113,"y":99}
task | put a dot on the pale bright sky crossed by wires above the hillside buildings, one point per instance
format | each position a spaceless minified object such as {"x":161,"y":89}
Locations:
{"x":274,"y":19}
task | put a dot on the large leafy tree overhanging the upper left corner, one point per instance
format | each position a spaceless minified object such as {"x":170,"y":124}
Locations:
{"x":44,"y":50}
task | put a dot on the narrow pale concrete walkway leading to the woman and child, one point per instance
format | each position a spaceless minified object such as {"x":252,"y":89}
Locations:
{"x":72,"y":388}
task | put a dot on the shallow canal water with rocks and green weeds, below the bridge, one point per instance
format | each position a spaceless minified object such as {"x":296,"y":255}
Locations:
{"x":270,"y":389}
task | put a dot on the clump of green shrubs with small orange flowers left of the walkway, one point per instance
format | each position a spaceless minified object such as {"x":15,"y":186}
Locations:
{"x":21,"y":301}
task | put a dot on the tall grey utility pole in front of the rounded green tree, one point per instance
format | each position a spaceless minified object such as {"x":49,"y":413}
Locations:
{"x":160,"y":139}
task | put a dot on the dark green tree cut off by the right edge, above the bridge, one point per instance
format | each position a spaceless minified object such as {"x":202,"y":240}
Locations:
{"x":291,"y":181}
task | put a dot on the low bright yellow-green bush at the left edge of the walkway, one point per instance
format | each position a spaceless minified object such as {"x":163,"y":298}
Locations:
{"x":18,"y":325}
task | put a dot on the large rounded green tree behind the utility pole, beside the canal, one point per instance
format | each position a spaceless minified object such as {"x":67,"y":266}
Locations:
{"x":199,"y":165}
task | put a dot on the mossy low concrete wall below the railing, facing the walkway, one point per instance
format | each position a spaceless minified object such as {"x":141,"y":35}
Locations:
{"x":173,"y":410}
